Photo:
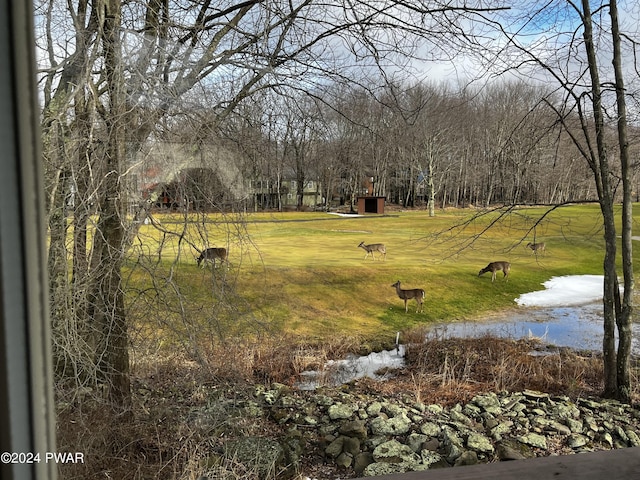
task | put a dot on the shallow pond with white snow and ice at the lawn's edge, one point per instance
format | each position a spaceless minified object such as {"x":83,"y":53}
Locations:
{"x":567,"y":313}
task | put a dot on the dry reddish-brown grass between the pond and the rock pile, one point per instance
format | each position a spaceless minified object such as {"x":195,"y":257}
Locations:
{"x":451,"y":371}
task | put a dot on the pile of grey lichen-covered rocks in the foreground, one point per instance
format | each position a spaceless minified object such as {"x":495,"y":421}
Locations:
{"x":375,"y":436}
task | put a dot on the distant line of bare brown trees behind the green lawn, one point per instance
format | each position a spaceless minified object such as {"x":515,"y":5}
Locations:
{"x":422,"y":145}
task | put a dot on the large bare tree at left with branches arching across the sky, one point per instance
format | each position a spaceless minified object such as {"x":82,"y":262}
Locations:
{"x":130,"y":66}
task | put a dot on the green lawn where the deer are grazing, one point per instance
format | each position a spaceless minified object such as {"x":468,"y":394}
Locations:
{"x":302,"y":274}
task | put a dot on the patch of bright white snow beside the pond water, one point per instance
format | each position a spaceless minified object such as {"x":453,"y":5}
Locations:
{"x":567,"y":291}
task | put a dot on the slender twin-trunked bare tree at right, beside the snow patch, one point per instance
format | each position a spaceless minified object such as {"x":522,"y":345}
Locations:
{"x":587,"y":91}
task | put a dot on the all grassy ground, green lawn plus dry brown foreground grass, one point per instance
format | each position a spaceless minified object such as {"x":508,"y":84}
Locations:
{"x":297,"y":293}
